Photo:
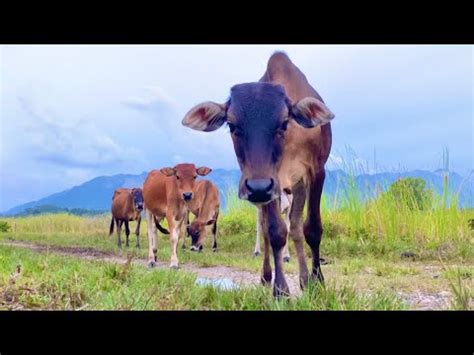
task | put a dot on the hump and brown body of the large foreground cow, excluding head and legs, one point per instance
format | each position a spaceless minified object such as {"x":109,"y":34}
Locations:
{"x":309,"y":145}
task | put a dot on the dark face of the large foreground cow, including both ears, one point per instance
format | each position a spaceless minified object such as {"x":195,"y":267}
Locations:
{"x":258,"y":115}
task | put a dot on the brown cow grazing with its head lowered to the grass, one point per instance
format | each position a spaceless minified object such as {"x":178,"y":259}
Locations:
{"x":205,"y":207}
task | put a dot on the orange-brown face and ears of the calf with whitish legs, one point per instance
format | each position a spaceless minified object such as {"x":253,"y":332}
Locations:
{"x":185,"y":175}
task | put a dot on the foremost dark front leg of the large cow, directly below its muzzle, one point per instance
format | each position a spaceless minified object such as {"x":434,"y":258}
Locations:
{"x":275,"y":229}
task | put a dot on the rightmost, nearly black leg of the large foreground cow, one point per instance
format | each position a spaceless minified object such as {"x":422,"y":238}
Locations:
{"x":313,"y":229}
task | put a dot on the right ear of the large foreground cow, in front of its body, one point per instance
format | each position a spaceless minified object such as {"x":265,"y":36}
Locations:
{"x":311,"y":112}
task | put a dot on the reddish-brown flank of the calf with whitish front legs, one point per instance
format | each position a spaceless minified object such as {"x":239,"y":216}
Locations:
{"x":155,"y":193}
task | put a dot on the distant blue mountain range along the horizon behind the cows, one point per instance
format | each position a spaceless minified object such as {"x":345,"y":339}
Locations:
{"x":96,"y":194}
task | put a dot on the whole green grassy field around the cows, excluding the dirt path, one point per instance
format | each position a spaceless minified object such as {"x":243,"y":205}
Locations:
{"x":363,"y":242}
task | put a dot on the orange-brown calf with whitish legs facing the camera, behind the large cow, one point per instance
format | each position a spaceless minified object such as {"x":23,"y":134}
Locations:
{"x":167,"y":193}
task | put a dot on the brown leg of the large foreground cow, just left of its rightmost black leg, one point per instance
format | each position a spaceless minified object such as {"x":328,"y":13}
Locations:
{"x":296,"y":230}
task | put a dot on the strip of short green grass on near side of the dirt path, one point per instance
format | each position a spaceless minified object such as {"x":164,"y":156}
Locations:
{"x":29,"y":280}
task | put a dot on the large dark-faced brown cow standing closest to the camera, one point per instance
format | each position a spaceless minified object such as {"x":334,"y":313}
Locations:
{"x":282,"y":139}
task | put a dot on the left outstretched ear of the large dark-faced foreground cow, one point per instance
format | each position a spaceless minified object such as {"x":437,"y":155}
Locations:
{"x":206,"y":117}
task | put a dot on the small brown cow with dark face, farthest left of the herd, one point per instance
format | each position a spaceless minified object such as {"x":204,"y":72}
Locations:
{"x":127,"y":205}
